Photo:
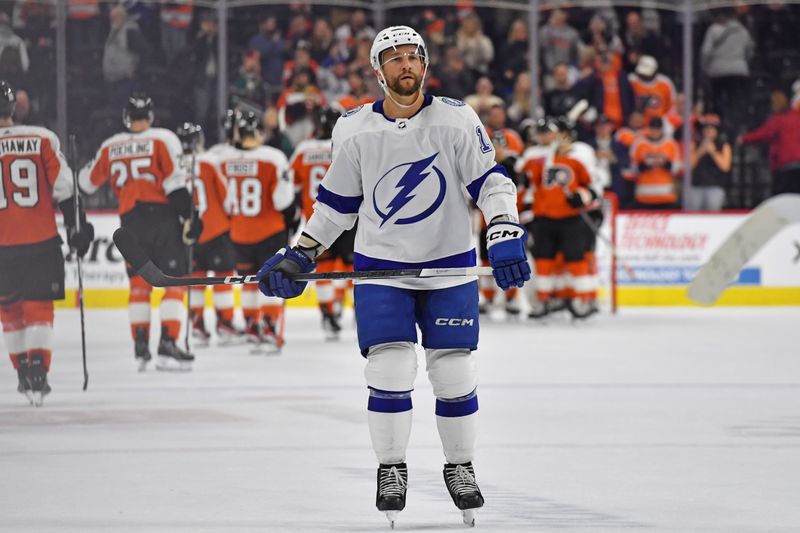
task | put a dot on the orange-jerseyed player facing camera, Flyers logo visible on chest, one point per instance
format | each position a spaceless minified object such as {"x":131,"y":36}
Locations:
{"x":561,"y":188}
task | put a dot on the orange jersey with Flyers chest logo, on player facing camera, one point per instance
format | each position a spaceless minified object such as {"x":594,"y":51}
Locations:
{"x":550,"y":178}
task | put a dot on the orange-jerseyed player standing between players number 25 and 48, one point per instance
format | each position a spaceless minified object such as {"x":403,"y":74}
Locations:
{"x":214,"y":250}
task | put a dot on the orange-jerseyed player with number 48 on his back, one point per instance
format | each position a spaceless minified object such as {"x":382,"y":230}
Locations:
{"x":259,"y":193}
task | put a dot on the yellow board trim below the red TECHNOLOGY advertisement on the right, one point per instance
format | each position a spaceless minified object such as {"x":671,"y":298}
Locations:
{"x":733,"y":296}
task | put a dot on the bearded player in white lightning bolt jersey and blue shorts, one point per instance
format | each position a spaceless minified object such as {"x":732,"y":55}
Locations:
{"x":400,"y":167}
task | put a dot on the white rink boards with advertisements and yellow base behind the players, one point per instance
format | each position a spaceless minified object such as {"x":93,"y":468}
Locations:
{"x":658,"y":255}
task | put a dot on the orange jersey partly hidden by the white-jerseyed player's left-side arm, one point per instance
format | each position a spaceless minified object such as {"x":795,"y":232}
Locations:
{"x":307,"y":167}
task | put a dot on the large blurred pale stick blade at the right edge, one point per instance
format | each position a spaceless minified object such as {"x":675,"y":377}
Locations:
{"x":766,"y":221}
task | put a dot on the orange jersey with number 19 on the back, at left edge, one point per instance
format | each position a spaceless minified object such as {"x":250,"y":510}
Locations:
{"x":33,"y":174}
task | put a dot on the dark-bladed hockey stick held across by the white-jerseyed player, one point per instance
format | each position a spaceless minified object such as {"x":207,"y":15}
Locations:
{"x":143,"y":266}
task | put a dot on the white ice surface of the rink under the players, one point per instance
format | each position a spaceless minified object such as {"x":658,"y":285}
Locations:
{"x":673,"y":420}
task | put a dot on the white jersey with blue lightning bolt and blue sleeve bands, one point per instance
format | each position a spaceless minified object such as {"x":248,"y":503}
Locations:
{"x":407,"y":182}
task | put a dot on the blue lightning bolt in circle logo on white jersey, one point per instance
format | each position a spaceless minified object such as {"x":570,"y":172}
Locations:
{"x":416,"y":195}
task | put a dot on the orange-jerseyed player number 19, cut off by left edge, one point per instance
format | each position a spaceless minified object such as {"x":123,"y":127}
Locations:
{"x":33,"y":175}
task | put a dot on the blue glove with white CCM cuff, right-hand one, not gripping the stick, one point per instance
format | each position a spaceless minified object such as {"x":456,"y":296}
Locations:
{"x":506,"y":244}
